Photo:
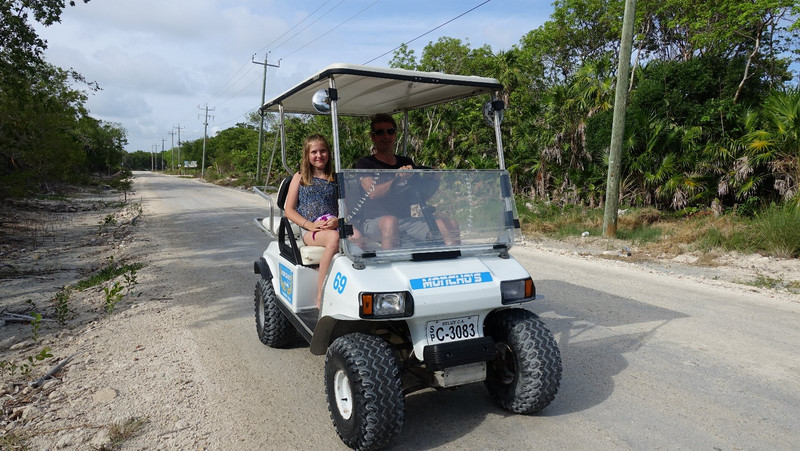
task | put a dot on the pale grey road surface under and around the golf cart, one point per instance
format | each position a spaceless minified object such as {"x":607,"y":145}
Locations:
{"x":650,"y":360}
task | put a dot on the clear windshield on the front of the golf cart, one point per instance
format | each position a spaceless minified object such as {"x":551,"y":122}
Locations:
{"x":398,"y":215}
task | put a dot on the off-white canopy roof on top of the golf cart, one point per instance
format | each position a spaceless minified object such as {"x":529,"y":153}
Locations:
{"x":365,"y":90}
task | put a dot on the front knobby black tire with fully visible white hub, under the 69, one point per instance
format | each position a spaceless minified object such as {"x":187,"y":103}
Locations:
{"x":369,"y":412}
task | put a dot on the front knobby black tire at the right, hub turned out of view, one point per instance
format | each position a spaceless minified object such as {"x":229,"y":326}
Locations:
{"x":526,"y":374}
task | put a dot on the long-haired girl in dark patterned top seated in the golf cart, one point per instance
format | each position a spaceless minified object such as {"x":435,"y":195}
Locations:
{"x":311,"y":203}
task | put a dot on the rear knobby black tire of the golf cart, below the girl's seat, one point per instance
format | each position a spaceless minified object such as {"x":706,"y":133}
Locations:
{"x":272,"y":326}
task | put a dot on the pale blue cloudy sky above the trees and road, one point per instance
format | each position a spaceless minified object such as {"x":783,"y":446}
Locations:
{"x":159,"y":64}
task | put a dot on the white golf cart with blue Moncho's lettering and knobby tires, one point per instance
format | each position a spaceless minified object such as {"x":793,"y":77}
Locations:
{"x":439,"y":311}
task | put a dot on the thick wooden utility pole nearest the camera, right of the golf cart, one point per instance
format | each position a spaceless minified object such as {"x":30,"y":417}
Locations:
{"x":618,"y":127}
